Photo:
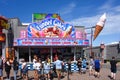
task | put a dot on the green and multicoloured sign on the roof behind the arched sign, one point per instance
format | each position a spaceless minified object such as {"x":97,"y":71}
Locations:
{"x":36,"y":17}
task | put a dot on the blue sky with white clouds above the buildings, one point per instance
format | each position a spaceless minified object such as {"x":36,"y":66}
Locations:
{"x":77,"y":12}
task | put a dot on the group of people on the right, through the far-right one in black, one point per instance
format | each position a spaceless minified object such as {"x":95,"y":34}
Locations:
{"x":95,"y":66}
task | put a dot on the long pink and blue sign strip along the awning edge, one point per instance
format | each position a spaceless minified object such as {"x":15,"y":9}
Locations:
{"x":50,"y":42}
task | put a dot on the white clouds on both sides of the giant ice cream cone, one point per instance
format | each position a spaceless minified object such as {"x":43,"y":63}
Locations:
{"x":112,"y":25}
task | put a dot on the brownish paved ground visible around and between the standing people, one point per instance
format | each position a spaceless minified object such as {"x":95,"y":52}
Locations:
{"x":104,"y":73}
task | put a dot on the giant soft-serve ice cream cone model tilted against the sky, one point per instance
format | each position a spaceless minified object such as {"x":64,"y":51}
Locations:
{"x":99,"y":26}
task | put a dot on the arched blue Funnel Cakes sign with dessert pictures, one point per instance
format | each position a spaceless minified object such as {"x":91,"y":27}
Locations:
{"x":50,"y":27}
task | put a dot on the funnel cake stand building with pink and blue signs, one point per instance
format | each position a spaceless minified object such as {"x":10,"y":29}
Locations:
{"x":34,"y":39}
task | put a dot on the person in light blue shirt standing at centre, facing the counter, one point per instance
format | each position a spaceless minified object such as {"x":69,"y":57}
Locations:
{"x":58,"y":65}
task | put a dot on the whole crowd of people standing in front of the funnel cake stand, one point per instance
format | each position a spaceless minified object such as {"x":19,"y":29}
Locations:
{"x":44,"y":71}
